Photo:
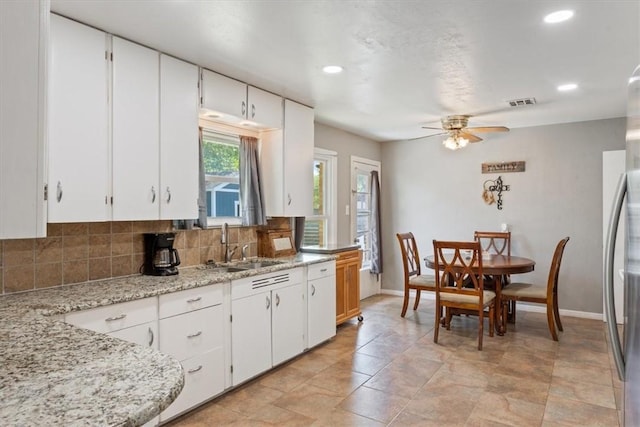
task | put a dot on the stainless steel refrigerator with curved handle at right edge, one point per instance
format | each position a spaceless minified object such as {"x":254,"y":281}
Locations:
{"x":625,"y":344}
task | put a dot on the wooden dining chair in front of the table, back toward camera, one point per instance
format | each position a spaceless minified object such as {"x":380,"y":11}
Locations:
{"x":460,"y":285}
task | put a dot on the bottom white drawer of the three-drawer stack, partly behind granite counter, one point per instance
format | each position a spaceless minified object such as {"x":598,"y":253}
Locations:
{"x":203,"y":379}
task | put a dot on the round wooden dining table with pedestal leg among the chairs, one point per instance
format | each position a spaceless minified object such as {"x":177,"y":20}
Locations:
{"x":498,"y":267}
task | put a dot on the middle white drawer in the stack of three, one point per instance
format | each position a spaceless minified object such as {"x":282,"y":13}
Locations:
{"x":192,"y":333}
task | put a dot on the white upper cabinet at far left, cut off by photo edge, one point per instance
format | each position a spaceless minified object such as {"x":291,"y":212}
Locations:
{"x":23,"y":79}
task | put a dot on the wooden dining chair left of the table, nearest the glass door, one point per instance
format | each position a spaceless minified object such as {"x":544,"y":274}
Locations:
{"x":413,"y":279}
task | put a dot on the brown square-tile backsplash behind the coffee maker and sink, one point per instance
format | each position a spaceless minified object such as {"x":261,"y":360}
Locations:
{"x":80,"y":252}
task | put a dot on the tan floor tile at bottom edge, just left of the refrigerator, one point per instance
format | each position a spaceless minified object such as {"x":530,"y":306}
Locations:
{"x":566,"y":412}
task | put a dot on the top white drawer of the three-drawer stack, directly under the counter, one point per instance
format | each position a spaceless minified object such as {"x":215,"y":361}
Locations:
{"x":189,"y":300}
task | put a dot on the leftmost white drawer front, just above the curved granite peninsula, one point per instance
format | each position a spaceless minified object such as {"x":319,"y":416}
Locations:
{"x":117,"y":316}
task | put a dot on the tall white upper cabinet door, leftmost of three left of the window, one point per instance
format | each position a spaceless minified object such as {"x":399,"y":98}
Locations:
{"x":78,"y":123}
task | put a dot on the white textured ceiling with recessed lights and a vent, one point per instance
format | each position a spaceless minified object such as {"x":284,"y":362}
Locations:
{"x":407,"y":63}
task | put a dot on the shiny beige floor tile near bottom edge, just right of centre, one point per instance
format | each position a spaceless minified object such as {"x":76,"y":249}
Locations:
{"x":374,"y":404}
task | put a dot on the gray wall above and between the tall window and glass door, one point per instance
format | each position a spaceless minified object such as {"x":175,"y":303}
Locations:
{"x":346,"y":145}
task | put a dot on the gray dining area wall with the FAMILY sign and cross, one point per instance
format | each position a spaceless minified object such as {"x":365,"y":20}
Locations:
{"x":436,"y":194}
